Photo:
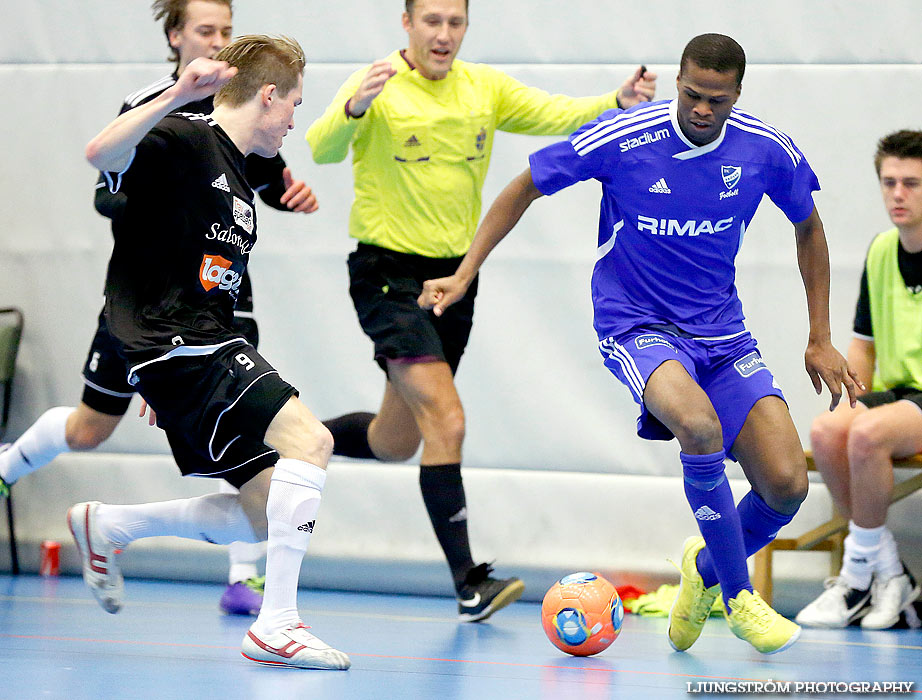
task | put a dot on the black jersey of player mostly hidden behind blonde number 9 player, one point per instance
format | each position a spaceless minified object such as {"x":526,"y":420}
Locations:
{"x":263,"y":174}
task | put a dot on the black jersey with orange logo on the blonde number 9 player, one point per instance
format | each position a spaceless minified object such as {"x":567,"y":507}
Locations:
{"x":182,"y":243}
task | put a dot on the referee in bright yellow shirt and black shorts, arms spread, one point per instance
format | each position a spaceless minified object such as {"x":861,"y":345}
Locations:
{"x":420,"y":124}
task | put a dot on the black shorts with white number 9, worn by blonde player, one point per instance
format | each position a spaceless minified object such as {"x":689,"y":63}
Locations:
{"x":215,"y":410}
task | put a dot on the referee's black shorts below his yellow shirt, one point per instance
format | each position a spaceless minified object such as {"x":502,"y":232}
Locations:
{"x":385,"y":285}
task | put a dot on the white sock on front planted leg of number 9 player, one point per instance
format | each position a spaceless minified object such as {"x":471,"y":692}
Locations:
{"x":291,"y":508}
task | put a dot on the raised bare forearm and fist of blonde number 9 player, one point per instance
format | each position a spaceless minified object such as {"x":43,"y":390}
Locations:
{"x":110,"y":150}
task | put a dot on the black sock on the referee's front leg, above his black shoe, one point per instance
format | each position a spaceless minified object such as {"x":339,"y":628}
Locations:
{"x":443,"y":493}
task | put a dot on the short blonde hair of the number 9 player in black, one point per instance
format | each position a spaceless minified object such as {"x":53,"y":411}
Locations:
{"x":260,"y":60}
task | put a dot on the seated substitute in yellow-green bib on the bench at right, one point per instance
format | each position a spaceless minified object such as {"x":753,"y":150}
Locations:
{"x":854,"y":448}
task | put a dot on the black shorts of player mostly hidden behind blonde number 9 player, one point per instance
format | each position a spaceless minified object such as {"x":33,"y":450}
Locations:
{"x":105,"y":372}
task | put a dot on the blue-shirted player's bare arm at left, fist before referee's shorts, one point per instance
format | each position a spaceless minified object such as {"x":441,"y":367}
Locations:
{"x":505,"y":213}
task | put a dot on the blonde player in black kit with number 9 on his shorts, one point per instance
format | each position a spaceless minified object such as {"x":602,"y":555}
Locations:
{"x":171,"y":287}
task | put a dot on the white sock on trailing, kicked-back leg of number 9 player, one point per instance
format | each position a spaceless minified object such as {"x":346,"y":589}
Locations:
{"x":217,"y":518}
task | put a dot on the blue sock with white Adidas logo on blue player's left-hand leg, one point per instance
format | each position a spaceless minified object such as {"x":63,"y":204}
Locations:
{"x":709,"y":495}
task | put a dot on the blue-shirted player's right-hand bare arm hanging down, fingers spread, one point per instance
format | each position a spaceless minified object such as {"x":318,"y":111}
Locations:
{"x":823,"y":362}
